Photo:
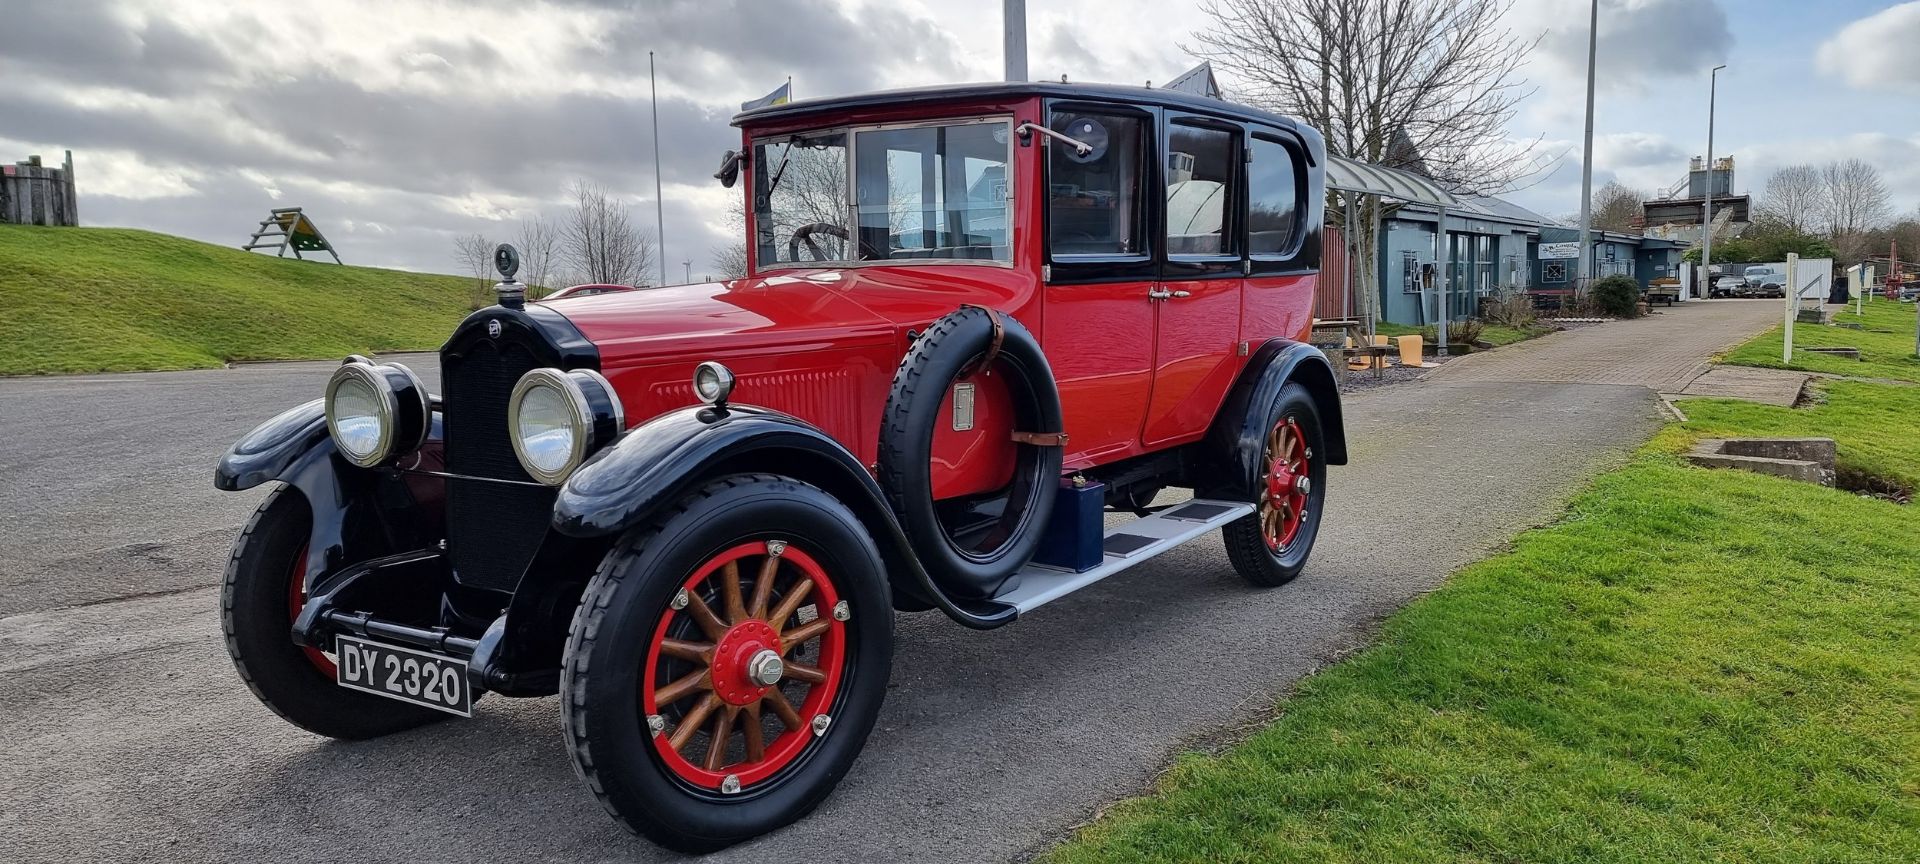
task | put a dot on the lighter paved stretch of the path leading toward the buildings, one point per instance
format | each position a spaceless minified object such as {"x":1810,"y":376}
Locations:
{"x":1666,"y":350}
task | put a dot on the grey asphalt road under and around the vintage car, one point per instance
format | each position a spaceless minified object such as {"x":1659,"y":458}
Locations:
{"x":130,"y":736}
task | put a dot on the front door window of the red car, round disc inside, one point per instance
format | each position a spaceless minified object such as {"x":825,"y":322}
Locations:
{"x":1093,"y":201}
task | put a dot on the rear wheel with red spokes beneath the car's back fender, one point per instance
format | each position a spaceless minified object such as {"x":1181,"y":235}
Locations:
{"x":1272,"y":546}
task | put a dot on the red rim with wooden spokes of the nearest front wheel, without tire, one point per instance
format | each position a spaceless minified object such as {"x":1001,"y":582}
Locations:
{"x":715,"y":633}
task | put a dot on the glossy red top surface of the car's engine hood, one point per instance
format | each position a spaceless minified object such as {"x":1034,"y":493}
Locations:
{"x":740,"y":316}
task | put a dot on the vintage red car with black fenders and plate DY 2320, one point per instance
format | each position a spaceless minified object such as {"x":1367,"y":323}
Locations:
{"x":976,"y":320}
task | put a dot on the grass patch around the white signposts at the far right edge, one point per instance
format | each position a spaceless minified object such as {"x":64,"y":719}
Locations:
{"x":1886,"y":345}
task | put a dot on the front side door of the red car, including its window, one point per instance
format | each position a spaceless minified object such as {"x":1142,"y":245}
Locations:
{"x":1099,"y":331}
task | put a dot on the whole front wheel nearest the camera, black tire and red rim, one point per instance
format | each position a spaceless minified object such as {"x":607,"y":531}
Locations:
{"x":729,"y":661}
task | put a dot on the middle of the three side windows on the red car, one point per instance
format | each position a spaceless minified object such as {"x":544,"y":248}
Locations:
{"x":1199,"y":191}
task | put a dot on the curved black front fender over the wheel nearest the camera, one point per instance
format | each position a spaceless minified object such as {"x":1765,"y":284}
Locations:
{"x":667,"y":458}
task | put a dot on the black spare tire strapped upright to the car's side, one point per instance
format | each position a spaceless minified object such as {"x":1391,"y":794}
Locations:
{"x":978,"y":558}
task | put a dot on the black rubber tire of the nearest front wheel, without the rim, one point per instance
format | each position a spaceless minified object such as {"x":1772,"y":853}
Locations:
{"x":610,"y":640}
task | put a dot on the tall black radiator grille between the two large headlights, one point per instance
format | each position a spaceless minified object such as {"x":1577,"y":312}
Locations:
{"x":492,"y":529}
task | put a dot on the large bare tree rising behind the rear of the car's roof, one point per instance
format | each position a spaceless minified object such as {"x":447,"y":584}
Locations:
{"x":1424,"y":85}
